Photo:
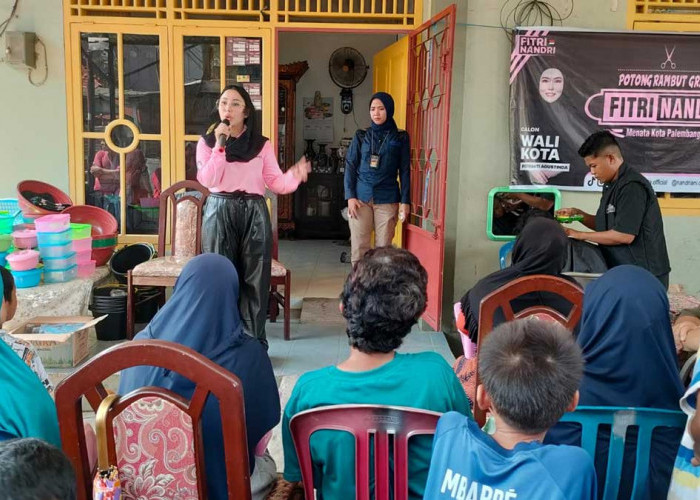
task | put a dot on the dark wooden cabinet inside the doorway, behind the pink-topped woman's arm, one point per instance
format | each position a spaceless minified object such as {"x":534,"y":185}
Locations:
{"x":289,"y":75}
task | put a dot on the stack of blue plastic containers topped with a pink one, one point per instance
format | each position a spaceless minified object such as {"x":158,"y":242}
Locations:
{"x":56,"y":248}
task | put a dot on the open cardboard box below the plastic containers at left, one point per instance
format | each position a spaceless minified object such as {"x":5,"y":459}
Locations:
{"x":58,"y":350}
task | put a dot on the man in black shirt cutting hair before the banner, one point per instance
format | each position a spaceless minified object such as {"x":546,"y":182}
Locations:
{"x":628,"y":226}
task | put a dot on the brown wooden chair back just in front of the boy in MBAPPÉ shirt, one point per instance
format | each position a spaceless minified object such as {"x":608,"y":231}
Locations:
{"x":504,"y":296}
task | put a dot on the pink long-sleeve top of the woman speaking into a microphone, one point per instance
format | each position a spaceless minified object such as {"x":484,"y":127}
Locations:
{"x":220,"y":176}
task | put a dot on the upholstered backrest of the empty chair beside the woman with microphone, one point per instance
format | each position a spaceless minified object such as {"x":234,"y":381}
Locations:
{"x":186,"y":219}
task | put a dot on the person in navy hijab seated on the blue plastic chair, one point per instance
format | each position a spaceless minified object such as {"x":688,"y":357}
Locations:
{"x":630,"y":360}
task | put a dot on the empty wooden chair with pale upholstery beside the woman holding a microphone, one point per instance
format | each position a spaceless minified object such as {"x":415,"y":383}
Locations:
{"x":185,"y":243}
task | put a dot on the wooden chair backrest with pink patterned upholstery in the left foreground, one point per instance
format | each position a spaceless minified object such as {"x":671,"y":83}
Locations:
{"x":157,"y":404}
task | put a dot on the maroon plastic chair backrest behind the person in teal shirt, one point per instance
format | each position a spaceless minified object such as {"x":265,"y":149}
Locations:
{"x":365,"y":422}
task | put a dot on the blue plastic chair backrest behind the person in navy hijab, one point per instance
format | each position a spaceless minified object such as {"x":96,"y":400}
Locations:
{"x":619,"y":419}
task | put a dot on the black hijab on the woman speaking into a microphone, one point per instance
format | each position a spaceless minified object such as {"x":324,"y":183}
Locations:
{"x":250,"y":143}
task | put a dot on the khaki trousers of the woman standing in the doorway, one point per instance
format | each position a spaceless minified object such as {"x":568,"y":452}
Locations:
{"x":381,"y":218}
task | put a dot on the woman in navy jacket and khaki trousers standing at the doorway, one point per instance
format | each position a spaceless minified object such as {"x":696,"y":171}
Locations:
{"x":376,"y":157}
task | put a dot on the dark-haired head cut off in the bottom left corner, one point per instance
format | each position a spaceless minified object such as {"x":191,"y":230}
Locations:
{"x":31,"y":469}
